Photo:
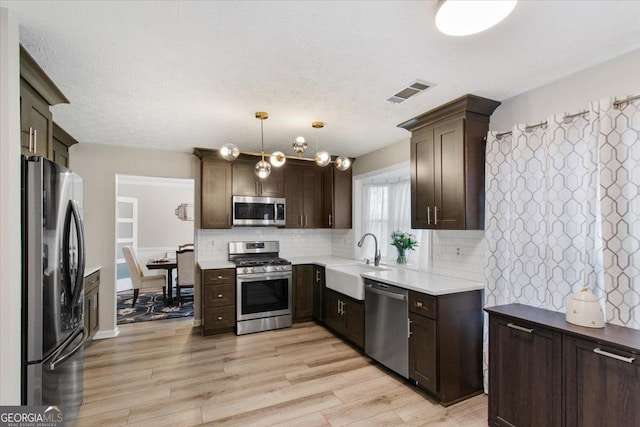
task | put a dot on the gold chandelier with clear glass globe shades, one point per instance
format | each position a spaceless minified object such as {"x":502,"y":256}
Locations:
{"x":262,"y":169}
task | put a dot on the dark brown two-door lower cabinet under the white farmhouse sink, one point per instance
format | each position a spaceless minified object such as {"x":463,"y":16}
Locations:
{"x":345,"y":316}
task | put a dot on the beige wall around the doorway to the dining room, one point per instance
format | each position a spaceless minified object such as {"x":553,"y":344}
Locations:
{"x":98,"y":165}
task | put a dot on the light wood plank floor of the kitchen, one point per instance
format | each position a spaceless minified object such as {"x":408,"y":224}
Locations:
{"x":164,"y":373}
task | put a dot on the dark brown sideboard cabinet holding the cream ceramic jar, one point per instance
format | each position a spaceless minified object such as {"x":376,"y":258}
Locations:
{"x":545,"y":371}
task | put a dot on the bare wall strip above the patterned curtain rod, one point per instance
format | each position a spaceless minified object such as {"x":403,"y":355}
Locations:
{"x":618,"y":77}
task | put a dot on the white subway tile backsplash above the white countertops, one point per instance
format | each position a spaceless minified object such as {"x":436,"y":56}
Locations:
{"x":453,"y":253}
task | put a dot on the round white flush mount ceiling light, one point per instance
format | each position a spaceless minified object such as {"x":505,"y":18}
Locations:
{"x":465,"y":17}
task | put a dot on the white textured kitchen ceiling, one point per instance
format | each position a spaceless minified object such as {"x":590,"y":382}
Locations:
{"x":182,"y":74}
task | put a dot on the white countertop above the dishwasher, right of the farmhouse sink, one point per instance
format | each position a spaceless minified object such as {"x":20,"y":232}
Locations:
{"x":432,"y":284}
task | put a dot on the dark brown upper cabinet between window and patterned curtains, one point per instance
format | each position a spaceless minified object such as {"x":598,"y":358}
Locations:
{"x":447,"y":164}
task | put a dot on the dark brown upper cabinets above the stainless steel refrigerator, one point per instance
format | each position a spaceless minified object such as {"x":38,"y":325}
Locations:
{"x":37,"y":94}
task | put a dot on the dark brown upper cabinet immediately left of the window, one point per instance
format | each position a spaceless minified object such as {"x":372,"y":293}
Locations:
{"x":337,"y":210}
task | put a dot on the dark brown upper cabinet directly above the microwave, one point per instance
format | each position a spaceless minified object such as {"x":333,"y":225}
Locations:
{"x":246,"y":183}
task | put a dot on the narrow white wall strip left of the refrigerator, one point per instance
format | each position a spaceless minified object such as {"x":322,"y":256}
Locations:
{"x":10,"y":257}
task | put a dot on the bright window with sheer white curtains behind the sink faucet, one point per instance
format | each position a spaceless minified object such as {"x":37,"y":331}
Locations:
{"x":386,"y":207}
